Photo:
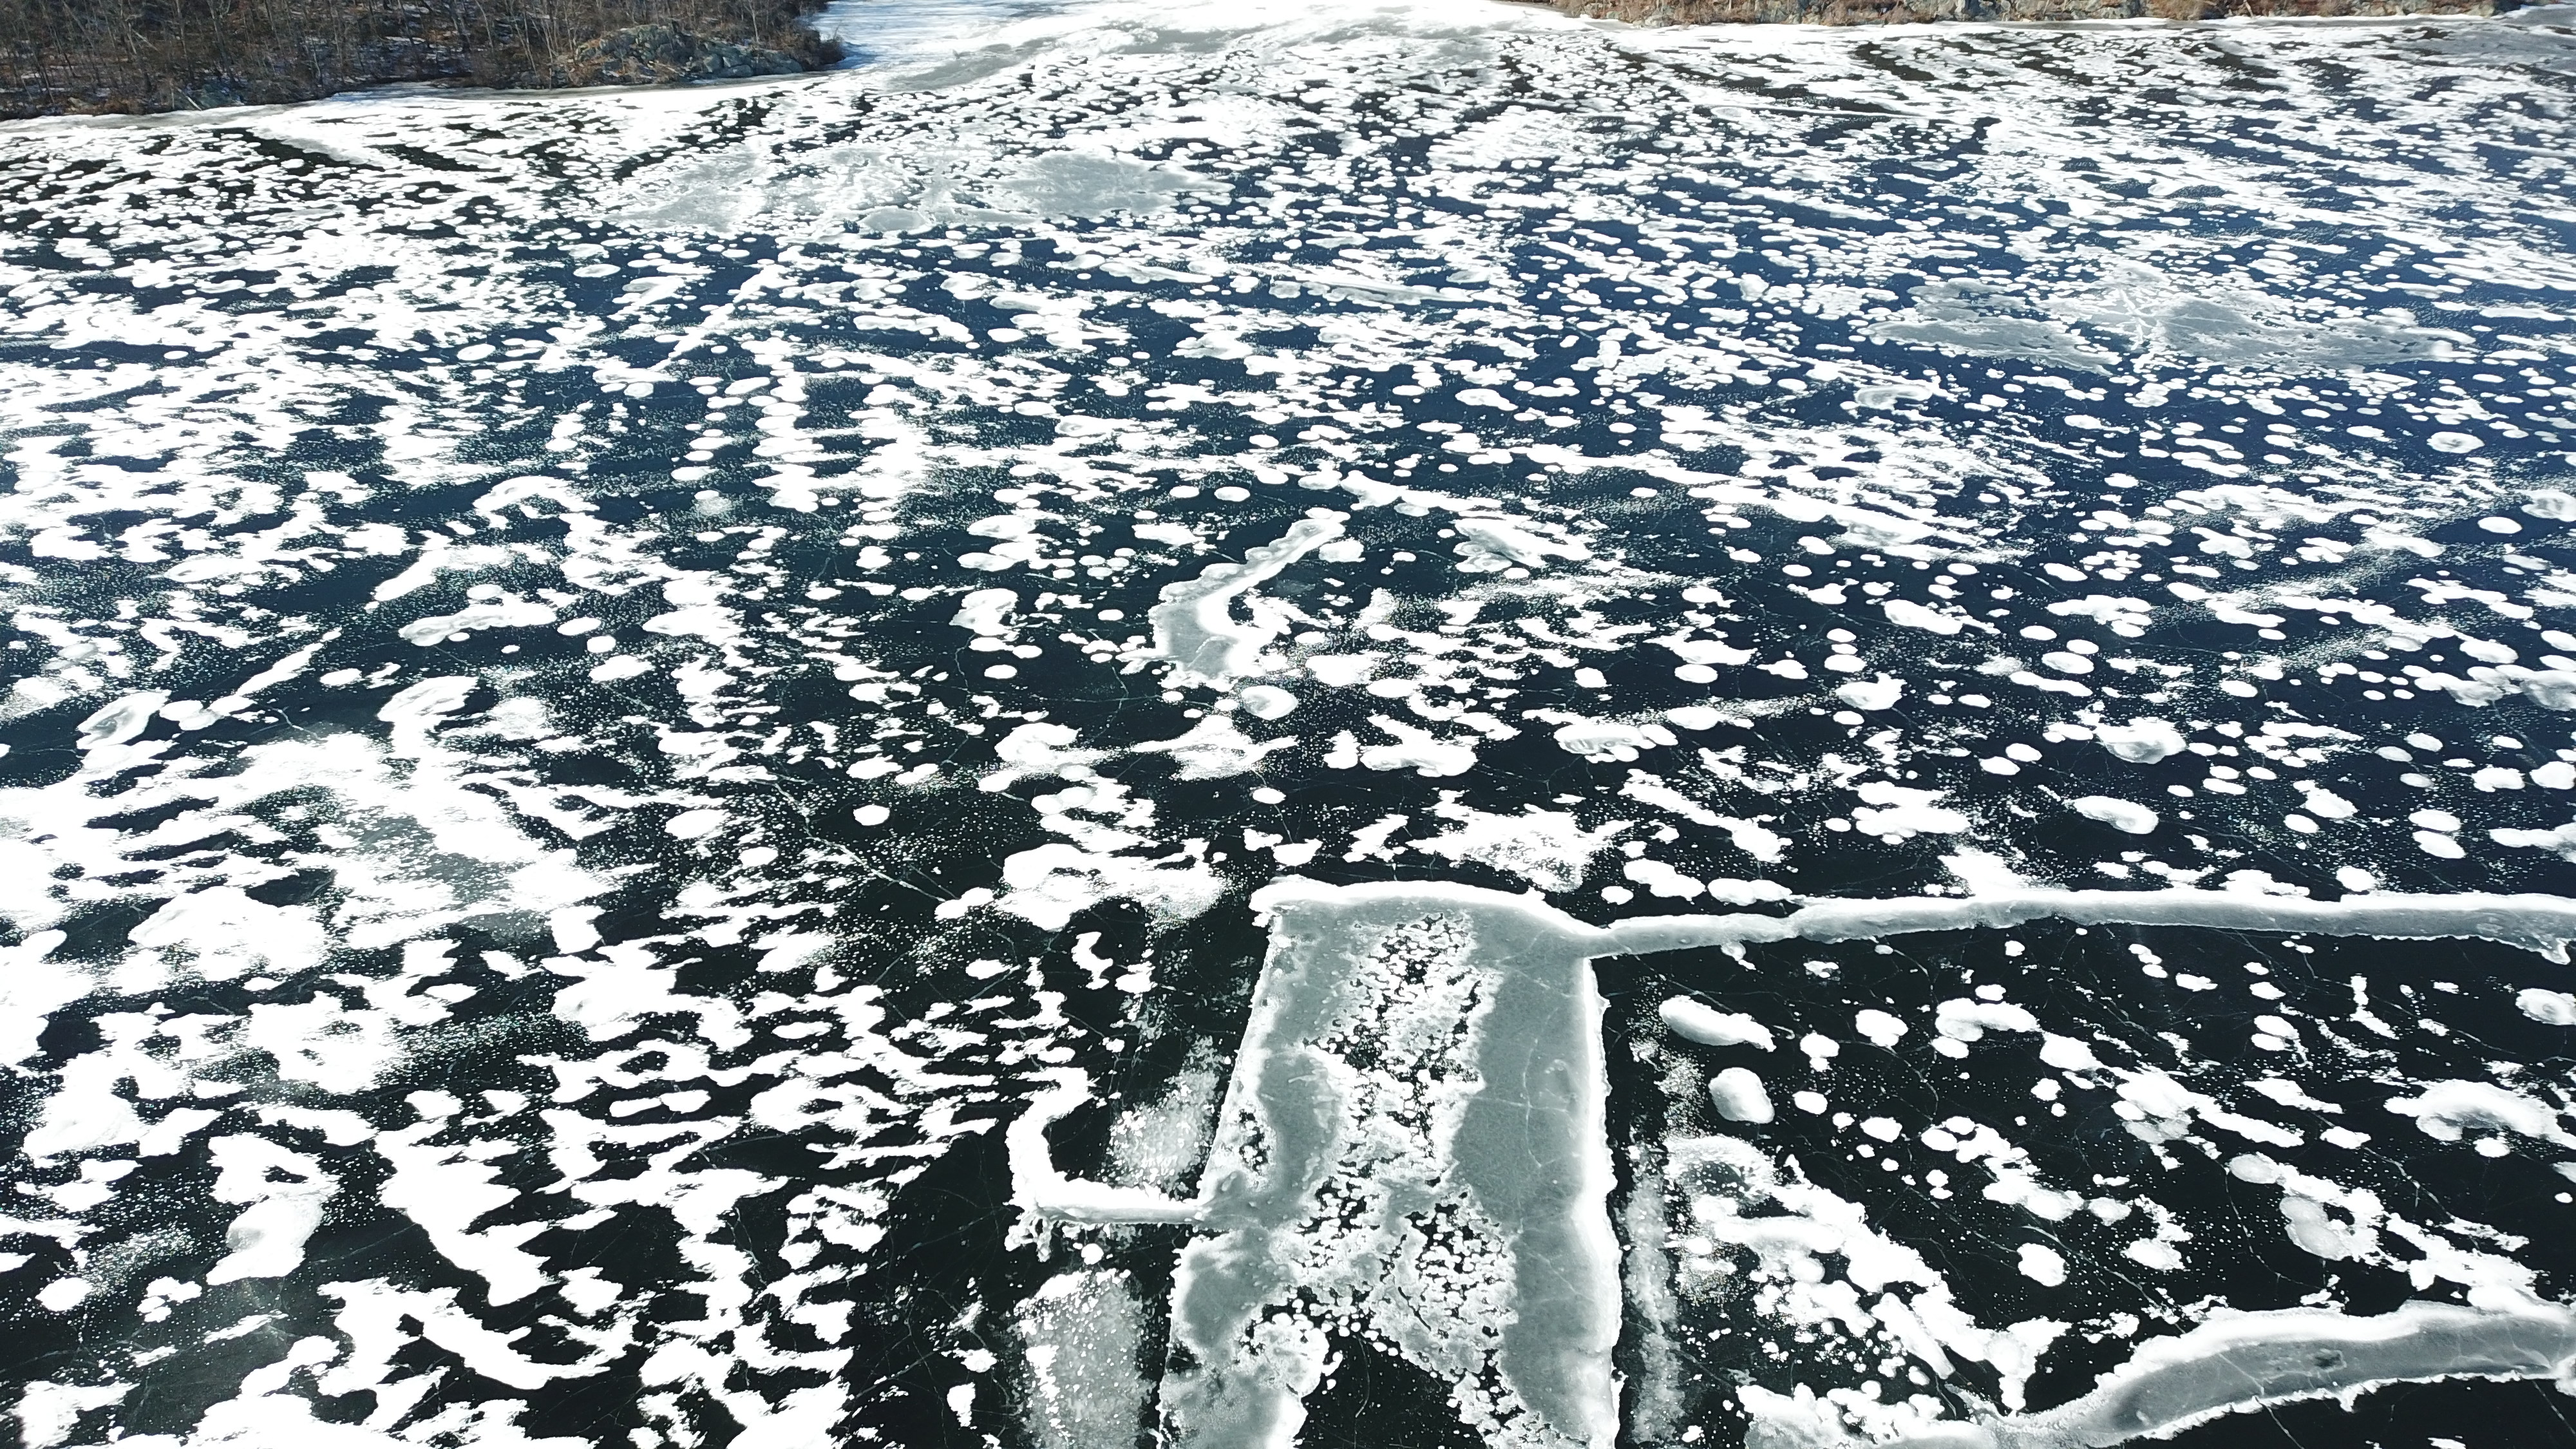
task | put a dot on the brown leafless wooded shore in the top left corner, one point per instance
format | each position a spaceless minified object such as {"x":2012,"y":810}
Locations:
{"x":169,"y":55}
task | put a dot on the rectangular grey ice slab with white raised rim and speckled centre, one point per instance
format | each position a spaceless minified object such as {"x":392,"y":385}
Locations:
{"x":1410,"y":1151}
